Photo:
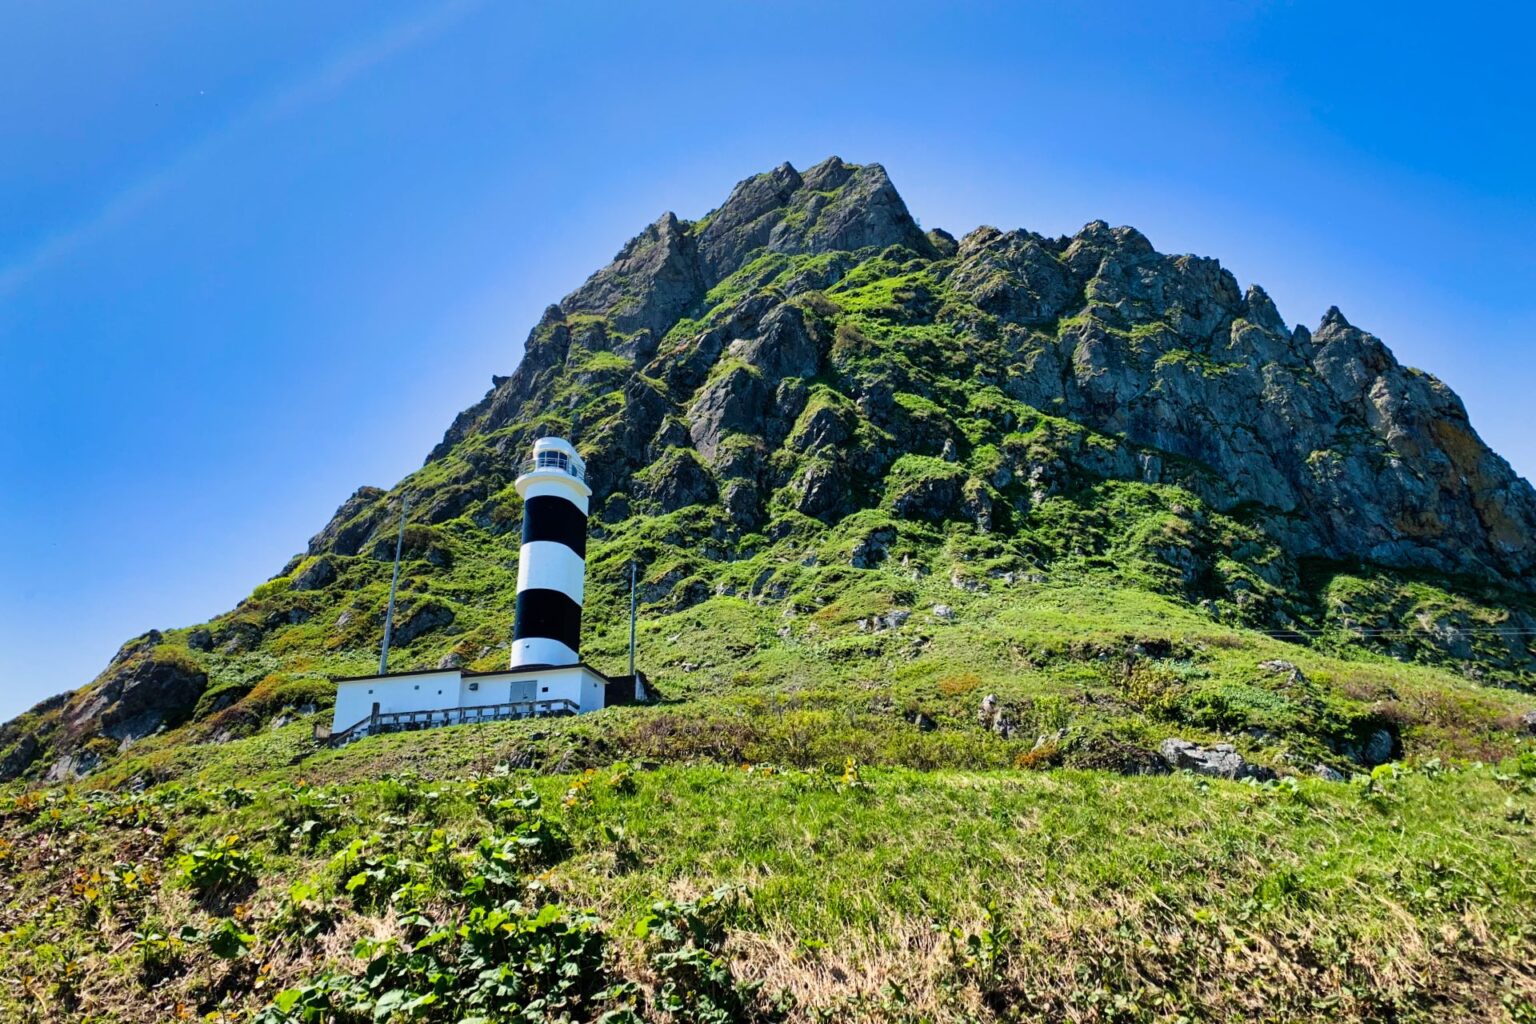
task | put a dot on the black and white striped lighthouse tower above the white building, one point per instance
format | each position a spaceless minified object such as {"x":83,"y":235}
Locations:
{"x":552,"y":567}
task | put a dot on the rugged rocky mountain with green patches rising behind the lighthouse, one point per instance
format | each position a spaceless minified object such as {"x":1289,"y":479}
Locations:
{"x":803,"y":403}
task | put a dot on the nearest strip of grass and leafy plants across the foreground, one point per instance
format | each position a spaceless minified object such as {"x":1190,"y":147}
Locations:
{"x":882,"y":894}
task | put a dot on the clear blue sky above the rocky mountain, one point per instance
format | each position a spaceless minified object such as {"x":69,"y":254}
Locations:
{"x":257,"y":256}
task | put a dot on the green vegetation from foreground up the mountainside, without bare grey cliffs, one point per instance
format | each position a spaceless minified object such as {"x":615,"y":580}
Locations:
{"x":1105,"y":613}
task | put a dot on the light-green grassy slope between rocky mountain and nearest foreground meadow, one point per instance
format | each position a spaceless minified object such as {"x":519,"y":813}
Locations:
{"x":1097,"y":666}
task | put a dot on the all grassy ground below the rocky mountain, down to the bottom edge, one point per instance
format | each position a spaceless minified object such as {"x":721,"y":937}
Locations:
{"x":866,"y":894}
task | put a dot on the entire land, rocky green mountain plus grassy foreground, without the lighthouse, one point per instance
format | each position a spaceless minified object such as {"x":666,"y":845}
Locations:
{"x":1044,"y":630}
